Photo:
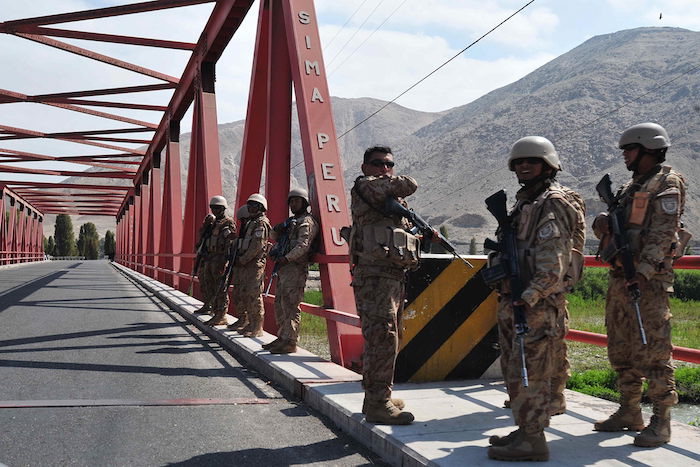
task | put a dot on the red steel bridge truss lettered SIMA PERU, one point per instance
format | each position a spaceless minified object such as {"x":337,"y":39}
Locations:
{"x":142,"y":188}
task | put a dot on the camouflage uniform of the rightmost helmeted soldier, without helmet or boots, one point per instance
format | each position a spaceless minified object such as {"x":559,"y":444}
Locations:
{"x":652,"y":242}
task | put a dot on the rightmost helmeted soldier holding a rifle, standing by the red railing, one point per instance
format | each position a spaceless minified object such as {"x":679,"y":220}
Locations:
{"x":652,"y":203}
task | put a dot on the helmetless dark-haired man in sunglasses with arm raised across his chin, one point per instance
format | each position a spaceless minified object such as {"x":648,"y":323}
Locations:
{"x":379,"y":279}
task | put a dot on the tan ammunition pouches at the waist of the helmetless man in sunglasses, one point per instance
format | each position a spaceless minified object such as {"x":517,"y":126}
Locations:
{"x":386,"y":242}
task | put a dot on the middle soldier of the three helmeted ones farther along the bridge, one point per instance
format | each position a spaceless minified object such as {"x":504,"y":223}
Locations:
{"x":249,"y":268}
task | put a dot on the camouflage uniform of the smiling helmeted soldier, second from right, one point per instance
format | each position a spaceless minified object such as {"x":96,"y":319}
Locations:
{"x":544,"y":222}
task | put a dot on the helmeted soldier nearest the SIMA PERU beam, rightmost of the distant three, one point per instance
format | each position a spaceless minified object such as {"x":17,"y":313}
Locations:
{"x":292,"y":254}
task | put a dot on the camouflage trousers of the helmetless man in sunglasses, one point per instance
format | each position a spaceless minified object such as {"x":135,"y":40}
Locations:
{"x":378,"y":301}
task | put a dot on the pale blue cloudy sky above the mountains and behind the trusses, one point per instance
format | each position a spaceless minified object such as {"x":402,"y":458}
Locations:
{"x":372,"y":48}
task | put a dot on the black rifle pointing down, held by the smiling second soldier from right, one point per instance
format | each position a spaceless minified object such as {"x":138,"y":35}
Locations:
{"x":508,"y":268}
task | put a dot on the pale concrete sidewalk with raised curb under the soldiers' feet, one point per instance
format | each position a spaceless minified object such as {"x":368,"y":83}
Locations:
{"x":453,"y":418}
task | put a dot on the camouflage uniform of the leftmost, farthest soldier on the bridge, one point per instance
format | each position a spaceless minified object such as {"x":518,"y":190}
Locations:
{"x":223,"y":233}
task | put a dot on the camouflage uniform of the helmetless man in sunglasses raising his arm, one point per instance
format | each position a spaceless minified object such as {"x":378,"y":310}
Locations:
{"x":378,"y":284}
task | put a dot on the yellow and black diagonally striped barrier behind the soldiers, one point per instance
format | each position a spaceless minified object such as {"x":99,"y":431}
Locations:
{"x":449,"y":322}
